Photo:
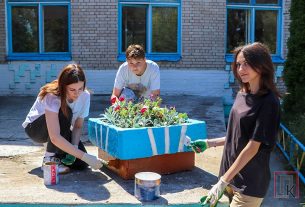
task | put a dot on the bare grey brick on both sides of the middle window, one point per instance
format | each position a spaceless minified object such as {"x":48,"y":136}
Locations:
{"x":94,"y":34}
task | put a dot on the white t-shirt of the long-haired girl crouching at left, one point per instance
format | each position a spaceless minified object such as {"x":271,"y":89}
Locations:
{"x":80,"y":107}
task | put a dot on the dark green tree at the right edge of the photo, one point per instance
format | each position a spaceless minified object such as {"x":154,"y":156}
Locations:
{"x":294,"y":72}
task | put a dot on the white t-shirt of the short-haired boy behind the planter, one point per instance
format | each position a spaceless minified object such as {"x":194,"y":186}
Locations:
{"x":150,"y":78}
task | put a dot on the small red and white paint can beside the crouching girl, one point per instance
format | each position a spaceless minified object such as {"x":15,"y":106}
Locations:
{"x":50,"y":173}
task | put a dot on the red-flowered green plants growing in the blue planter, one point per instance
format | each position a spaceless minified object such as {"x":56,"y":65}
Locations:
{"x":143,"y":114}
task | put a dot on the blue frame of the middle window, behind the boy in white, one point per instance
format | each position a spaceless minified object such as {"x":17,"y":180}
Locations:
{"x":149,"y":4}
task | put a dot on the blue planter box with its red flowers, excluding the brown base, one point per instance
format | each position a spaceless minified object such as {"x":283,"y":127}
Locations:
{"x":152,"y":132}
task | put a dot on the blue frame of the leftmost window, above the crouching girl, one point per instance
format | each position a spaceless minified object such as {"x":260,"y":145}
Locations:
{"x":41,"y":54}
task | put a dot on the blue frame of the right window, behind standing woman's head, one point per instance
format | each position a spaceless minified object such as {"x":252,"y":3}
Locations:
{"x":253,"y":7}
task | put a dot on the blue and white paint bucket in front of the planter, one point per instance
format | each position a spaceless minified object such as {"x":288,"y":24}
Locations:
{"x":147,"y":186}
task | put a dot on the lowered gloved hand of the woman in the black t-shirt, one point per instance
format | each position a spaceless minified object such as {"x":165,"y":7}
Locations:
{"x":216,"y":192}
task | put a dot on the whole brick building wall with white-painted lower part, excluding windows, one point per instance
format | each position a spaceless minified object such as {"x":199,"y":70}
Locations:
{"x":94,"y":46}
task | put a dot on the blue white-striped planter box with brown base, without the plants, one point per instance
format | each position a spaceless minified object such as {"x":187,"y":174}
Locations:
{"x":156,"y":149}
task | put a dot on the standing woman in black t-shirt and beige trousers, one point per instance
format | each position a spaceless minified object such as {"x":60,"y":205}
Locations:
{"x":252,"y":129}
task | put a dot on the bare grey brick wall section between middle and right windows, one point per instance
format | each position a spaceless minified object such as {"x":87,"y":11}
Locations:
{"x":203,"y":35}
